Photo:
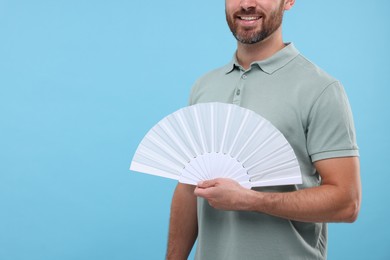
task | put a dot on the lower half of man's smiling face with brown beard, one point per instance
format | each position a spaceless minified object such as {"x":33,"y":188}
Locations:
{"x":252,"y":21}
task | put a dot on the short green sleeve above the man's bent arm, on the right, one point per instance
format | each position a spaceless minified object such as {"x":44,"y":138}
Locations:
{"x":331,"y":131}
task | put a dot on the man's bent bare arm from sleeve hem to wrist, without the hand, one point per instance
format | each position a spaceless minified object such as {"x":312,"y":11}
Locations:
{"x":337,"y":199}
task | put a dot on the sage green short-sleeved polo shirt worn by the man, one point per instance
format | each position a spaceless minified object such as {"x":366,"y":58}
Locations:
{"x":311,"y":109}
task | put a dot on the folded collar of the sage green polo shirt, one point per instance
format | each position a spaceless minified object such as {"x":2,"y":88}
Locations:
{"x":271,"y":64}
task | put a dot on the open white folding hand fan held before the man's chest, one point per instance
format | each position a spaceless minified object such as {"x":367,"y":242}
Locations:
{"x":212,"y":140}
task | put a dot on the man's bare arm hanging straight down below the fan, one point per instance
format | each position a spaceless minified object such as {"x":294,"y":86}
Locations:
{"x":183,"y":226}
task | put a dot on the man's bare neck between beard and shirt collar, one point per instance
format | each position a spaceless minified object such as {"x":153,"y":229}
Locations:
{"x":248,"y":53}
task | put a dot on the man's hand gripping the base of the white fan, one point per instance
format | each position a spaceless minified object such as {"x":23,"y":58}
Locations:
{"x":224,"y":194}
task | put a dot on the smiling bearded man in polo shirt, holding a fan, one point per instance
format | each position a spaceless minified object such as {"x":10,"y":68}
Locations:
{"x":310,"y":108}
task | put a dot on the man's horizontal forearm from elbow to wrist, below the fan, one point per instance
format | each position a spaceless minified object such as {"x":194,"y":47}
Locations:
{"x":325,"y":204}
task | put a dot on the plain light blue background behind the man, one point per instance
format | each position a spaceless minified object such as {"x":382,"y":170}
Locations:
{"x":81,"y":82}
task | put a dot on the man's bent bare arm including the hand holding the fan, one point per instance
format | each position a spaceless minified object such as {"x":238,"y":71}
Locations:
{"x":337,"y":199}
